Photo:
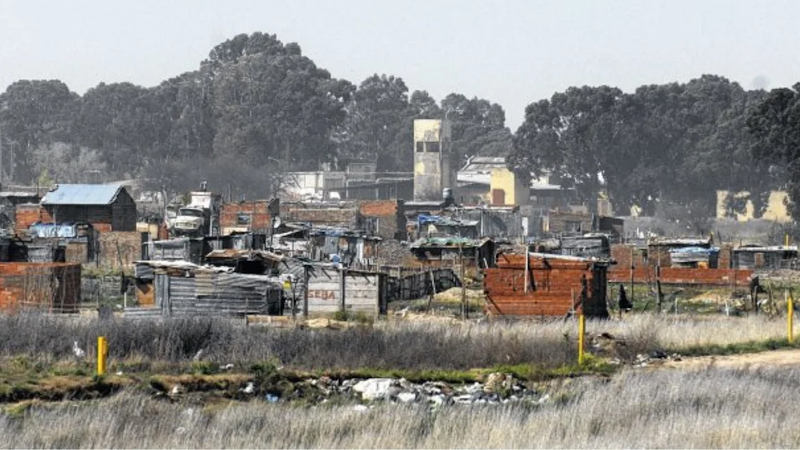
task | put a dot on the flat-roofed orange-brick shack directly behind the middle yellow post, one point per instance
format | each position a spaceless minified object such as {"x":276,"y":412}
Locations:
{"x":554,"y":285}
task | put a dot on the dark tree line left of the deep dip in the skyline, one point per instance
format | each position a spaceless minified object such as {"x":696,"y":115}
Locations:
{"x":255,"y":108}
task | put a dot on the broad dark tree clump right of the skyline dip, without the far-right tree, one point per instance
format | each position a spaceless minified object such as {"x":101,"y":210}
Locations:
{"x":662,"y":146}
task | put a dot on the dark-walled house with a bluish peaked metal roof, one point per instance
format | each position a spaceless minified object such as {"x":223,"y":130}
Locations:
{"x":107,"y":207}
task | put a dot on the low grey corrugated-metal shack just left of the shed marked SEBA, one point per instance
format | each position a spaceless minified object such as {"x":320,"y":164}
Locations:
{"x":177,"y":288}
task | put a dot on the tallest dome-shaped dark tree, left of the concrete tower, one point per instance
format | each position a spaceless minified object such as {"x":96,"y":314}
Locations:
{"x":272,"y":102}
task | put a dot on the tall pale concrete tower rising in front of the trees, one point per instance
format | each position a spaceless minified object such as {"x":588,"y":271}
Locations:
{"x":431,"y":159}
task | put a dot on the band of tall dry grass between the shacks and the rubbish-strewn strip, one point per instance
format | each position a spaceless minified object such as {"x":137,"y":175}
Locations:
{"x":385,"y":345}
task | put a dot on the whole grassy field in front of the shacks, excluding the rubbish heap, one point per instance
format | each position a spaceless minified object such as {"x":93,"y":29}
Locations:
{"x":692,"y":406}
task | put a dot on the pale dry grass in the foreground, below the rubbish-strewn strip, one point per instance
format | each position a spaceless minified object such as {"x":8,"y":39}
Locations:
{"x":711,"y":408}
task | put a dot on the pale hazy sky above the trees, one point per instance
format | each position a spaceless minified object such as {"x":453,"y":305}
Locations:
{"x":511,"y":52}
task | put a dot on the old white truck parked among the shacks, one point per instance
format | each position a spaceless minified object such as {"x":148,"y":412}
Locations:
{"x":199,"y":217}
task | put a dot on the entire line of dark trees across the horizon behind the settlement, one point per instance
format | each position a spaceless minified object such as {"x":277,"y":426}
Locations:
{"x":256,"y":108}
